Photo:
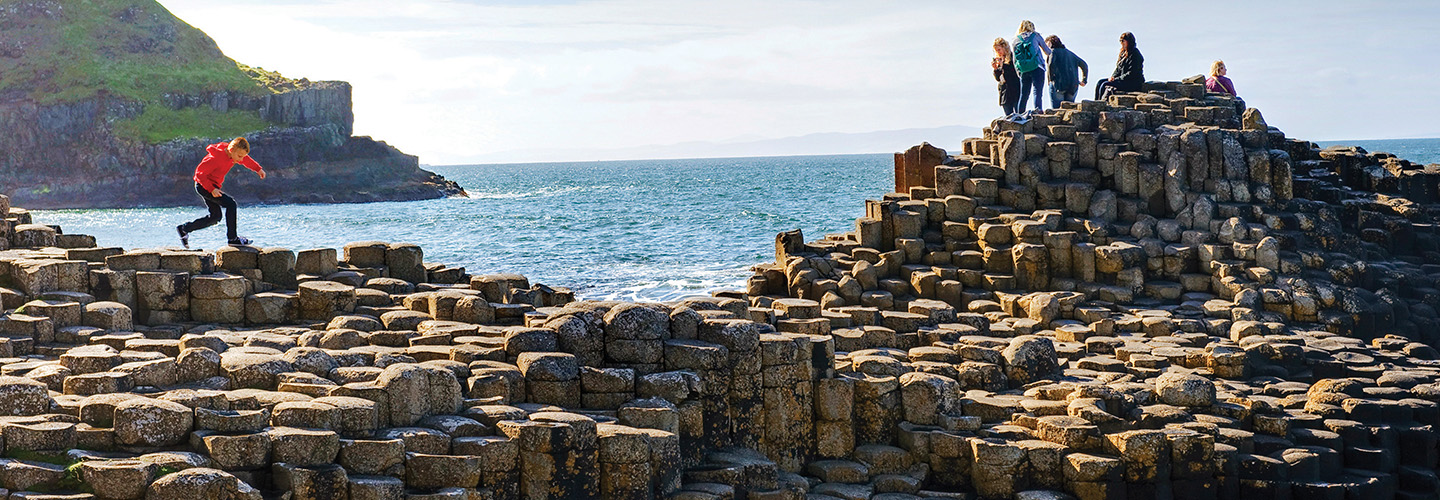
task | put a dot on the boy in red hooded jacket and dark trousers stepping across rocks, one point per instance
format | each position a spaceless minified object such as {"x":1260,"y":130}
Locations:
{"x":210,"y":177}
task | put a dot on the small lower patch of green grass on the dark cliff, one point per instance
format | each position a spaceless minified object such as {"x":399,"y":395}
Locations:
{"x":161,"y":125}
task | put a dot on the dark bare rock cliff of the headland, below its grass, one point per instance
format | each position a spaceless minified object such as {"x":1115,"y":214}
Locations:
{"x":67,"y":156}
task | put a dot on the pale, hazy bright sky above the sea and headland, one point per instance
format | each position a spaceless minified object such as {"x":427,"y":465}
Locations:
{"x":467,"y":81}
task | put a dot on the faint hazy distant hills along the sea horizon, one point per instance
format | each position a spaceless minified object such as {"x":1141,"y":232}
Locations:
{"x":826,"y":143}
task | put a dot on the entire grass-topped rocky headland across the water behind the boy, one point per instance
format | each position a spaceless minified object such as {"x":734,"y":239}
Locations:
{"x":63,"y":142}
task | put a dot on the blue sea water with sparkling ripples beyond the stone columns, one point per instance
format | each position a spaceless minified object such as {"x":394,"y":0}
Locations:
{"x":642,"y":231}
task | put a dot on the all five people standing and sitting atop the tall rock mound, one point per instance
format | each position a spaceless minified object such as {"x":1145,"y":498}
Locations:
{"x":1025,"y":66}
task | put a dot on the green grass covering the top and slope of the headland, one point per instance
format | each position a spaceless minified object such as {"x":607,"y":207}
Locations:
{"x":66,"y":51}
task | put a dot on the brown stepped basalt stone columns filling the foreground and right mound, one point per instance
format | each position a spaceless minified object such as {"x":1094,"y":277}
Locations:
{"x":1153,"y":298}
